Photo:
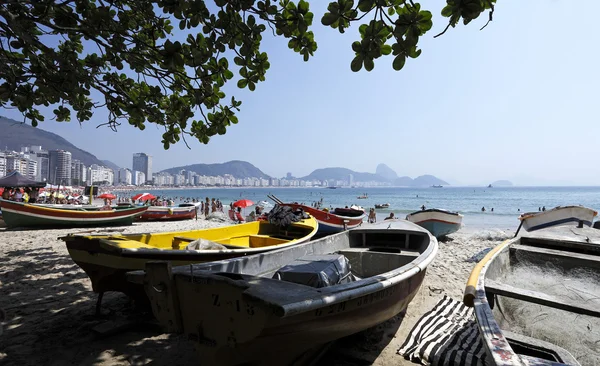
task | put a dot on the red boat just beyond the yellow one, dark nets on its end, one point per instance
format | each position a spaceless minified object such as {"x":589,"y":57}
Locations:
{"x":335,"y":221}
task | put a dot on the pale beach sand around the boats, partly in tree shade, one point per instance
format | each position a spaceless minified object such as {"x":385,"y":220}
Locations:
{"x":50,"y":306}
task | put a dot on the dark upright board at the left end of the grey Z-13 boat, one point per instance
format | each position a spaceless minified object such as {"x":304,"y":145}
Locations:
{"x":162,"y":292}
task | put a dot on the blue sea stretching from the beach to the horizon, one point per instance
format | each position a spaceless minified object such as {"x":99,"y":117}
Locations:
{"x":507,"y":202}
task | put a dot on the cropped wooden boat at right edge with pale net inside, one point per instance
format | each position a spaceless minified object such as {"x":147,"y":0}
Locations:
{"x":535,"y":298}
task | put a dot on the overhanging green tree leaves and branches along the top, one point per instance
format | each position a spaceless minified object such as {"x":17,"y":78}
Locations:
{"x":56,"y":53}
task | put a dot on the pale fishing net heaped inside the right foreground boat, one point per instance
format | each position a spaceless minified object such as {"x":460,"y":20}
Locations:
{"x":578,"y":334}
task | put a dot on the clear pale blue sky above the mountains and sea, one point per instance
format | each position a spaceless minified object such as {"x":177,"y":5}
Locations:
{"x":516,"y":100}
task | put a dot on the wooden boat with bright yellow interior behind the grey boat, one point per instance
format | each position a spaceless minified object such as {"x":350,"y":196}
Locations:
{"x":106,"y":258}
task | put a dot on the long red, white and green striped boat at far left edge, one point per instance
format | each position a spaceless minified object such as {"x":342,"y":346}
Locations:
{"x":19,"y":214}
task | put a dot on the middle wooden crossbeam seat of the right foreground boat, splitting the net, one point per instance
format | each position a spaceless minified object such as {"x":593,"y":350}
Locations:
{"x":540,"y":298}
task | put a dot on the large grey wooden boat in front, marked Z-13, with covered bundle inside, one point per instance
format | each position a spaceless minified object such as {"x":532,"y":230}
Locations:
{"x":271,"y":308}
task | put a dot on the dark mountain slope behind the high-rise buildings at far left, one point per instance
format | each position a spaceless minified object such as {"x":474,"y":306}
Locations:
{"x":16,"y":135}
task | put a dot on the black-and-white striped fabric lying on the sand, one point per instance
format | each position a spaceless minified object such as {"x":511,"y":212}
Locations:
{"x":446,"y":335}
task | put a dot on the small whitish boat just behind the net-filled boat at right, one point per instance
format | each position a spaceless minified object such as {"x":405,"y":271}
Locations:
{"x":561,"y":215}
